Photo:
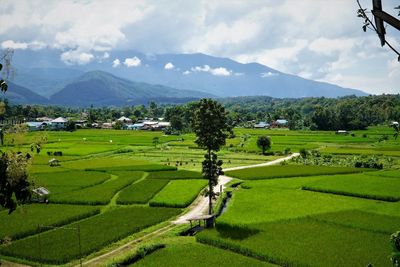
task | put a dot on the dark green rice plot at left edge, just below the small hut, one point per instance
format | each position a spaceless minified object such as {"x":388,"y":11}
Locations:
{"x":25,"y":220}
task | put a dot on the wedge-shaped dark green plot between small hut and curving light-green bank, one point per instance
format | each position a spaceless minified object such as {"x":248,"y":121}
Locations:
{"x":99,"y":194}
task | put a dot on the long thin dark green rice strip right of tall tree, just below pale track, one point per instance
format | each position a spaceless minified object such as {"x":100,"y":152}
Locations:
{"x":281,"y":171}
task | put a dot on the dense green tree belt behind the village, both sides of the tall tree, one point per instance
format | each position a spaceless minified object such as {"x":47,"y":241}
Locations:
{"x":348,"y":113}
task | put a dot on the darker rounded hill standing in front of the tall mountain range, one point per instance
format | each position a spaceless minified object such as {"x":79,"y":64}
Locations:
{"x":100,"y":88}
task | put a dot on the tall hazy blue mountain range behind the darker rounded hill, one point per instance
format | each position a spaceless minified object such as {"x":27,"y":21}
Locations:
{"x":221,"y":77}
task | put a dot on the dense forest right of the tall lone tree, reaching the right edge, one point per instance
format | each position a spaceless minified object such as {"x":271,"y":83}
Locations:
{"x":349,"y":113}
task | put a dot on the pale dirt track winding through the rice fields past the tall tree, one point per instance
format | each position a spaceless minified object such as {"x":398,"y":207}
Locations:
{"x":199,"y":207}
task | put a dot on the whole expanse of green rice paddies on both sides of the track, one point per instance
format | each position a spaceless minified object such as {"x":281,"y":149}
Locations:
{"x":113,"y":185}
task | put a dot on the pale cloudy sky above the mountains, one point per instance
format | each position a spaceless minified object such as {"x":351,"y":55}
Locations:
{"x":316,"y":39}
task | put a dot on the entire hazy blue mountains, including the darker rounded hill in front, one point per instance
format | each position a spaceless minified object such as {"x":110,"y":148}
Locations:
{"x":130,"y":77}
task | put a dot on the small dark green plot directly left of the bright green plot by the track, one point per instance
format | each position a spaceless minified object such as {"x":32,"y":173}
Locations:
{"x":141,"y":192}
